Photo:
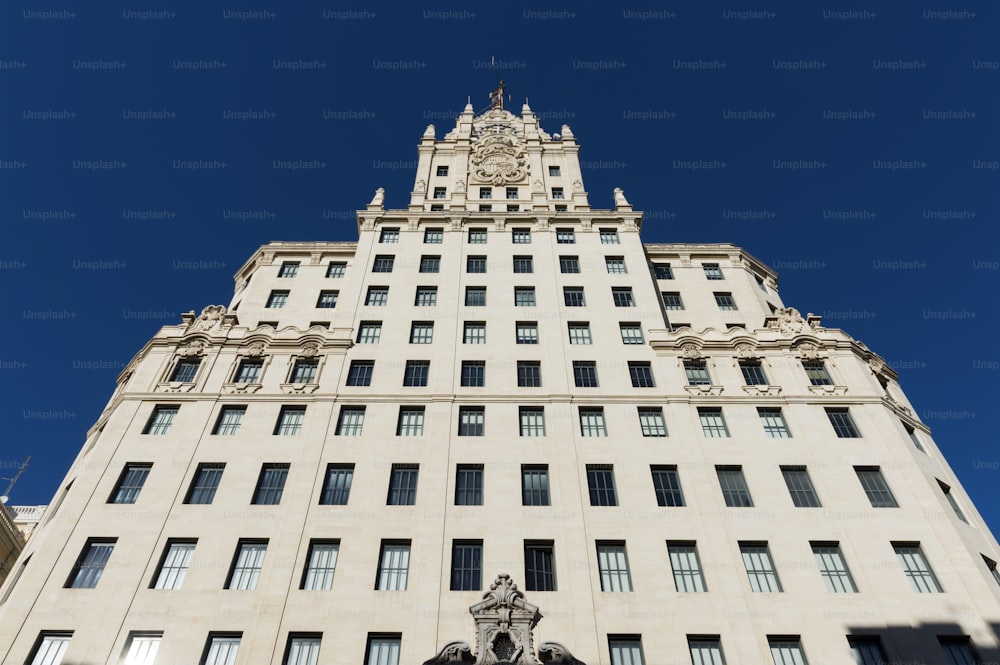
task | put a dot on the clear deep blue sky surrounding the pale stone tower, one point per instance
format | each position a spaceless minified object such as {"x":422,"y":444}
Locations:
{"x":856,"y":150}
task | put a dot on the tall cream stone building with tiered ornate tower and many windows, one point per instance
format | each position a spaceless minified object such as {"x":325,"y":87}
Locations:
{"x":670,"y":464}
